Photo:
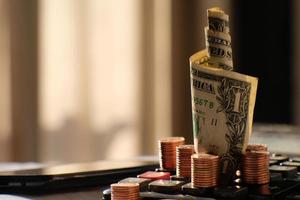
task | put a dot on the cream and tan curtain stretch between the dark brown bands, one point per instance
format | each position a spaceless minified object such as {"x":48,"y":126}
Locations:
{"x":97,"y":90}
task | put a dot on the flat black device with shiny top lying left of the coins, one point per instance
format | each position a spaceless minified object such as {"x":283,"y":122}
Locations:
{"x":70,"y":176}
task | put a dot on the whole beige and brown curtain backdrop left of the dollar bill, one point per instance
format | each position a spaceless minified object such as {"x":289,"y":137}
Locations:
{"x":91,"y":80}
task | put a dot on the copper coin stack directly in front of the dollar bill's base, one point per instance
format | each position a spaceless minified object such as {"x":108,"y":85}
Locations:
{"x":205,"y":169}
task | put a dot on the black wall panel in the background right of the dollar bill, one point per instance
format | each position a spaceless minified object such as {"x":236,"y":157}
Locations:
{"x":262,"y":48}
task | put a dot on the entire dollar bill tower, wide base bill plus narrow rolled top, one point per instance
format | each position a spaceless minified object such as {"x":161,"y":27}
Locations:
{"x":222,"y":100}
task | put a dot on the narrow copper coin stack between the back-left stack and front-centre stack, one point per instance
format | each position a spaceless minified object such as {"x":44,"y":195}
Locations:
{"x":183,"y":160}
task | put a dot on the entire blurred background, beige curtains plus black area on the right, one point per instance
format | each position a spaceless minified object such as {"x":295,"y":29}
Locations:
{"x":85,"y":80}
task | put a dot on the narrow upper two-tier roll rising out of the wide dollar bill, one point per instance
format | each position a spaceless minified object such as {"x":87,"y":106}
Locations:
{"x":218,"y":40}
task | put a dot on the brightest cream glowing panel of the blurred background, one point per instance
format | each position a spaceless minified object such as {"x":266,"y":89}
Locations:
{"x":89,"y":79}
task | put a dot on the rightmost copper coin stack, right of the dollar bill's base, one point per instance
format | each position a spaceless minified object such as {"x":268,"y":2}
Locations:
{"x":255,"y":169}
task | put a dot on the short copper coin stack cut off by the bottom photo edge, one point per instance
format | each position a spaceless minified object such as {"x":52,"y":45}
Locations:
{"x":121,"y":191}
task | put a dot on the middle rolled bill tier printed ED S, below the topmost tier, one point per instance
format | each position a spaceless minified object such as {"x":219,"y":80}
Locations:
{"x":219,"y":49}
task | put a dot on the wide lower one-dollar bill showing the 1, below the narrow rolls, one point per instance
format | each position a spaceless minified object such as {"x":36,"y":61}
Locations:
{"x":222,"y":109}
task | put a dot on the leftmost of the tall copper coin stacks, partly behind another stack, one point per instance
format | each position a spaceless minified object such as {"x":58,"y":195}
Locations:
{"x":167,"y":152}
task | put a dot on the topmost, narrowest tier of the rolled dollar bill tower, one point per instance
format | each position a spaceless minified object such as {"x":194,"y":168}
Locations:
{"x":218,"y":20}
